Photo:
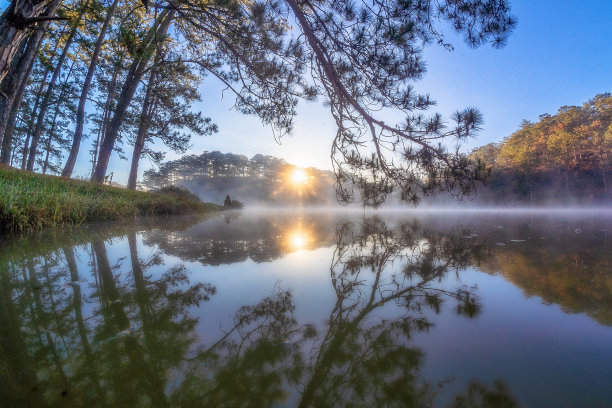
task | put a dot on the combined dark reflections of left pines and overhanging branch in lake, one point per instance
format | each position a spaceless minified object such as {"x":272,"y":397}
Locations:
{"x":128,"y":339}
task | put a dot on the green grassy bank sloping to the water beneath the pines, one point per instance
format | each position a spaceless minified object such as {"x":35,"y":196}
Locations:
{"x":30,"y":201}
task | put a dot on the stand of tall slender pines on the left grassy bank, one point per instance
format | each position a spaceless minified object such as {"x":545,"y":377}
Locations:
{"x":110,"y":65}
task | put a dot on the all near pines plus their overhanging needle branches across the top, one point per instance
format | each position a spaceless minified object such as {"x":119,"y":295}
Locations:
{"x":118,"y":71}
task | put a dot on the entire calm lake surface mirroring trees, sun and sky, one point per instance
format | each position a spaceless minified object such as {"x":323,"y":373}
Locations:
{"x":311,"y":309}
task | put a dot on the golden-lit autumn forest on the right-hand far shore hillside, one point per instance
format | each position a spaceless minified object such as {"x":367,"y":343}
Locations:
{"x":565,"y":158}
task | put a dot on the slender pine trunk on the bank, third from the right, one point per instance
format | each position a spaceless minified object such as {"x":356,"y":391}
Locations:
{"x":80,"y":118}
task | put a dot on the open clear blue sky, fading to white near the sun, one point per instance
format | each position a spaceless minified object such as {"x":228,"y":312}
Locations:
{"x":560,"y":54}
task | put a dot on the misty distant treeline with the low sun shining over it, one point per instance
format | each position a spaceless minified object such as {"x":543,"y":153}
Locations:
{"x":259,"y":180}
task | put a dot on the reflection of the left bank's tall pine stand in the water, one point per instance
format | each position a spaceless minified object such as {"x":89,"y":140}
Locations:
{"x":101,"y":337}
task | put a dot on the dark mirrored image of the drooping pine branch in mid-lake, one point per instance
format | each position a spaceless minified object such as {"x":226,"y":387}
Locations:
{"x":362,"y":358}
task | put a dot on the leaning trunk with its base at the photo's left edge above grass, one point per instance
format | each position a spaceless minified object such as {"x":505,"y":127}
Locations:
{"x":7,"y":127}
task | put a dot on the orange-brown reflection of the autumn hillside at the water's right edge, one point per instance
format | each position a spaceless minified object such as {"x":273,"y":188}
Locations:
{"x":558,"y":264}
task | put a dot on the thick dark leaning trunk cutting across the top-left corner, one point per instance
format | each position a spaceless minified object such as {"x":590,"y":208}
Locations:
{"x":15,"y":26}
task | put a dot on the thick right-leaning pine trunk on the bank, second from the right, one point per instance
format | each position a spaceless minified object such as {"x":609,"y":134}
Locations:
{"x":135,"y":73}
